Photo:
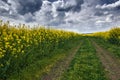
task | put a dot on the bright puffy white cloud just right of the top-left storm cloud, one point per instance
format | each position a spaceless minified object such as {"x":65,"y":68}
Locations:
{"x":43,"y":16}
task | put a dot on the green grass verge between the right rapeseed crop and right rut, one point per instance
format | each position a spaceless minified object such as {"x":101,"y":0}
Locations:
{"x":114,"y":49}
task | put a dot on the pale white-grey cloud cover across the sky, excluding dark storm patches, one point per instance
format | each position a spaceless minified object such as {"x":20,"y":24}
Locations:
{"x":79,"y":21}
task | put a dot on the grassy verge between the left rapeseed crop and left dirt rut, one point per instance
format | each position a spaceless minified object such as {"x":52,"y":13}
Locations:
{"x":41,"y":67}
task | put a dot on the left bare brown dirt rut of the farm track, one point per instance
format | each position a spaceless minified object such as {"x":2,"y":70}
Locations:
{"x":61,"y":66}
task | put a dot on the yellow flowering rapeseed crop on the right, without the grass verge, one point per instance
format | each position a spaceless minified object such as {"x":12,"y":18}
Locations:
{"x":112,"y":36}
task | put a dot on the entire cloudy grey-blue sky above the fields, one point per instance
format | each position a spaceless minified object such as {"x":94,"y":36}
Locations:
{"x":72,"y":15}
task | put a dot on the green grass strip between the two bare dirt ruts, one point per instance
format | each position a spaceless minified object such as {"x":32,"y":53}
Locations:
{"x":85,"y":65}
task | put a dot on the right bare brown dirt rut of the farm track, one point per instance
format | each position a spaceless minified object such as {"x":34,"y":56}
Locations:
{"x":110,"y":63}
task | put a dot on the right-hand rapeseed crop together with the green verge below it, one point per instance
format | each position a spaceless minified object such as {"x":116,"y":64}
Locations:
{"x":110,"y":40}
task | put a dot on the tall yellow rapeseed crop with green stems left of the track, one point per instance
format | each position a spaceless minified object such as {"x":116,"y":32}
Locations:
{"x":20,"y":46}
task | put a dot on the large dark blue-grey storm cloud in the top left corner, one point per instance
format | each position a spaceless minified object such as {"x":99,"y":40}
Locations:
{"x":23,"y":6}
